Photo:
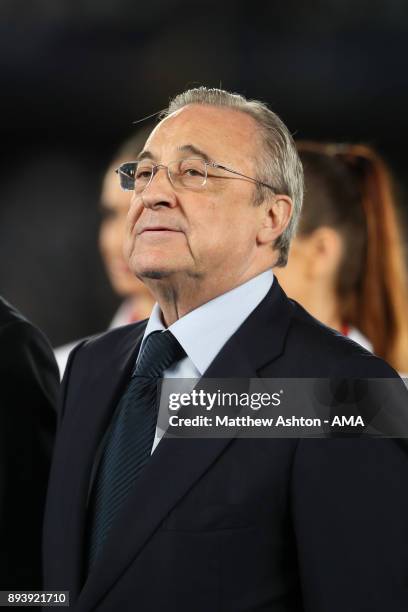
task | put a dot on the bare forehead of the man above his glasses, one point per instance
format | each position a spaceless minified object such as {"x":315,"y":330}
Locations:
{"x":224,"y":134}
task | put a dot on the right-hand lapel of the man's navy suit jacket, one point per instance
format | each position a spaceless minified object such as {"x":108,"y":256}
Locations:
{"x":178,"y":463}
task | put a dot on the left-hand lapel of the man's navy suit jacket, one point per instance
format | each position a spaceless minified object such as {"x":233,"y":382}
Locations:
{"x":93,"y":403}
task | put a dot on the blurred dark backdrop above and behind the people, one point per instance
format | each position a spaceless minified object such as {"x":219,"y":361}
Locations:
{"x":75,"y":75}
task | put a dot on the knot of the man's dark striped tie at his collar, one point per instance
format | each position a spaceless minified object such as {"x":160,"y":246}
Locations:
{"x":160,"y":351}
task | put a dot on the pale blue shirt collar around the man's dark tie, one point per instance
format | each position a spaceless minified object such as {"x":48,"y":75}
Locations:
{"x":204,"y":331}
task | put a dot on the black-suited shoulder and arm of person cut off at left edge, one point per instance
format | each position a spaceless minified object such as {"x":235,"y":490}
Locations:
{"x":28,"y":392}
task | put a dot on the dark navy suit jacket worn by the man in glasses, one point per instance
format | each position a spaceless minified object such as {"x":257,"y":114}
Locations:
{"x":233,"y":525}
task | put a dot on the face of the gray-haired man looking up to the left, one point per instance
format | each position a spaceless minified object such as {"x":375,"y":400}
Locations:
{"x":202,"y":233}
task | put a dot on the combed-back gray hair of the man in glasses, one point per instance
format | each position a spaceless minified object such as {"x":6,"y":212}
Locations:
{"x":278,"y":163}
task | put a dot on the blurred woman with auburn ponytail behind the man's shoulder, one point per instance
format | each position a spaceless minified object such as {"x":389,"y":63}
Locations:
{"x":346,"y":265}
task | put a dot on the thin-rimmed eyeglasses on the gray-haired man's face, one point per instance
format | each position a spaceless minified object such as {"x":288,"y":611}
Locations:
{"x":191,"y":173}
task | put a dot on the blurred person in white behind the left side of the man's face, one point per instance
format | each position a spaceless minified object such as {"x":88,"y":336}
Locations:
{"x":137,"y":299}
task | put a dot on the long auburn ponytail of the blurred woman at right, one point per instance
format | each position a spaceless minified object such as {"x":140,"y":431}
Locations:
{"x":377,"y":302}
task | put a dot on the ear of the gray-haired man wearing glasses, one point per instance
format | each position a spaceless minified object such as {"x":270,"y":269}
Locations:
{"x":277,"y":214}
